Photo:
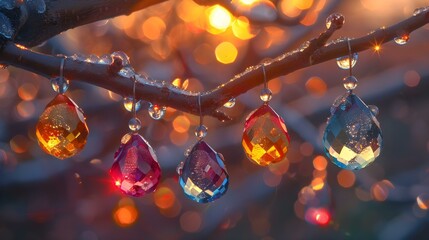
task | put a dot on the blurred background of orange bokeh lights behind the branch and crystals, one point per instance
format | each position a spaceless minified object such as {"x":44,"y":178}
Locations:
{"x":197,"y":48}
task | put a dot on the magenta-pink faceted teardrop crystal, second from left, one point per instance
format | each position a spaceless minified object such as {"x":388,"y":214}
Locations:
{"x":136,"y":170}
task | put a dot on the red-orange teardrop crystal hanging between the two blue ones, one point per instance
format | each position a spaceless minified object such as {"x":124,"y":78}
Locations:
{"x":265,"y":137}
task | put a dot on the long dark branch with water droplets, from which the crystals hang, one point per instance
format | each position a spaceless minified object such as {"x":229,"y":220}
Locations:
{"x":312,"y":52}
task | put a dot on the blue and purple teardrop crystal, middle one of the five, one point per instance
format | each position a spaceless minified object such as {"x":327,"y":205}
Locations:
{"x":203,"y":177}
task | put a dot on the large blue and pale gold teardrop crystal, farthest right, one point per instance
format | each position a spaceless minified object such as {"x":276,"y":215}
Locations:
{"x":352,"y":138}
